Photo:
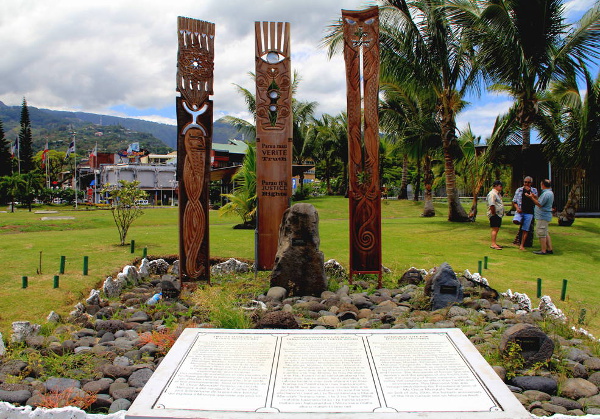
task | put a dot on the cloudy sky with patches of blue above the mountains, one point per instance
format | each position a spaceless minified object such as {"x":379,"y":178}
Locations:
{"x":119,"y":57}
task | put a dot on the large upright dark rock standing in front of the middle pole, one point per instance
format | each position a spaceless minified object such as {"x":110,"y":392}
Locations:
{"x":299,"y":263}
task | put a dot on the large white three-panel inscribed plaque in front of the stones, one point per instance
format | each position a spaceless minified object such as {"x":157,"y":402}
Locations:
{"x":218,"y":373}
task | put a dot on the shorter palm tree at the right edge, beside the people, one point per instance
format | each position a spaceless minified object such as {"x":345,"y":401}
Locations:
{"x":577,"y":123}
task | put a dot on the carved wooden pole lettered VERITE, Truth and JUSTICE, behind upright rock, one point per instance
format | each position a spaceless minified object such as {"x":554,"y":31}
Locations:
{"x":273,"y":135}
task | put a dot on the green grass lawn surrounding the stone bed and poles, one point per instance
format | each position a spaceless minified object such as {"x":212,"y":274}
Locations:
{"x":408,"y":240}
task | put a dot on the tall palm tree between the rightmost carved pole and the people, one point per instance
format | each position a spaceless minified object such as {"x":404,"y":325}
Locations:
{"x":422,"y":47}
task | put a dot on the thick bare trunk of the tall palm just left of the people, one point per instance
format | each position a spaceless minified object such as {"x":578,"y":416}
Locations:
{"x":448,"y":127}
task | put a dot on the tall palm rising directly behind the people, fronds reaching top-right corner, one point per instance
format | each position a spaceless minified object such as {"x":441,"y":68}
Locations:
{"x":523,"y":45}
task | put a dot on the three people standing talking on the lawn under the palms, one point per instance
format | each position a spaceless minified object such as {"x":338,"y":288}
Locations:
{"x":529,"y":207}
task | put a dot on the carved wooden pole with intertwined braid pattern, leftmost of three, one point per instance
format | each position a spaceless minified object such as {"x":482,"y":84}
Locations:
{"x":195,"y":63}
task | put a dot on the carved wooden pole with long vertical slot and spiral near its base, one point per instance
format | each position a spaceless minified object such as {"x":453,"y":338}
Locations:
{"x":361,"y":54}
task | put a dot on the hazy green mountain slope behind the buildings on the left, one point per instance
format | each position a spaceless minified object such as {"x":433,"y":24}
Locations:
{"x":111,"y":133}
